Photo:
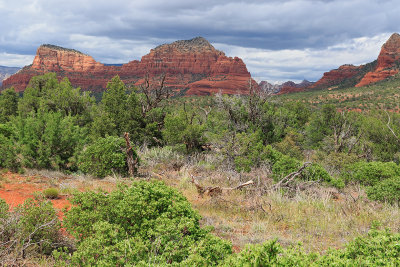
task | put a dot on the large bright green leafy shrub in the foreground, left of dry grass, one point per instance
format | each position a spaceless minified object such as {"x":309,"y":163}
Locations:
{"x":147,"y":223}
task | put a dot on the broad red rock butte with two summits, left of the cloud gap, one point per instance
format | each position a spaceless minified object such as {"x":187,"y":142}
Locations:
{"x":191,"y":67}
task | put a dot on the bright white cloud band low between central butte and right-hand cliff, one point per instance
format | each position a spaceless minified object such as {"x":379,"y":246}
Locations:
{"x":295,"y":64}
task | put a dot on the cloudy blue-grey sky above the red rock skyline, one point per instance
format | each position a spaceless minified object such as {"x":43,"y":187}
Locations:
{"x":278,"y":40}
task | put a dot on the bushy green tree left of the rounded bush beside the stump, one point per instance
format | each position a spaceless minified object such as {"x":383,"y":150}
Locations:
{"x":49,"y":140}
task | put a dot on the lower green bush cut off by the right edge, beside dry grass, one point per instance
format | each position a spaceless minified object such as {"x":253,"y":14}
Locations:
{"x":387,"y":190}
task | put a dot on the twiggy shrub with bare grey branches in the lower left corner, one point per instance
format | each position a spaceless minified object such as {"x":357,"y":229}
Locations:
{"x":32,"y":228}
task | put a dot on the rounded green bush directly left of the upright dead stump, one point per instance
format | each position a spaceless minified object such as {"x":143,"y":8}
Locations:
{"x":104,"y":157}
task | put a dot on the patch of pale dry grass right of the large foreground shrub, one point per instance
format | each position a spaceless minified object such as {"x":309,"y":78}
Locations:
{"x":318,"y":217}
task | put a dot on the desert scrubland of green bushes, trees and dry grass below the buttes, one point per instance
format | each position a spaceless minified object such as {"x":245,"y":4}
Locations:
{"x":221,"y":180}
